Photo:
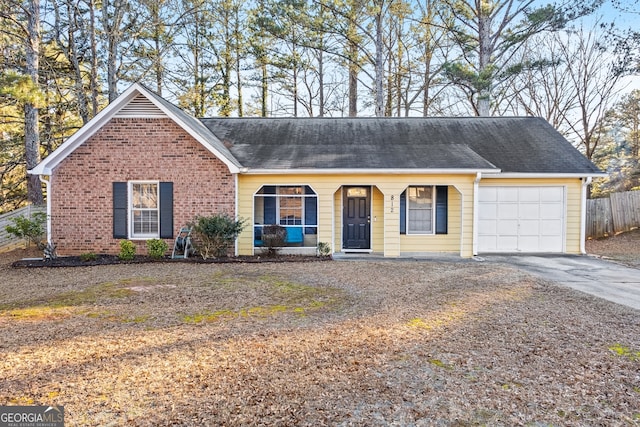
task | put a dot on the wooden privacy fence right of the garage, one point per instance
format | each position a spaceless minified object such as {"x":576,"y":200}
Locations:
{"x":615,"y":214}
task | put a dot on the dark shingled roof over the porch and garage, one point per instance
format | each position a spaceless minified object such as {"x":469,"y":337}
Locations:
{"x":511,"y":144}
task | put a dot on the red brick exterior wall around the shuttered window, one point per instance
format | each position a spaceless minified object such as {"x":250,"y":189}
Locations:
{"x":130,"y":150}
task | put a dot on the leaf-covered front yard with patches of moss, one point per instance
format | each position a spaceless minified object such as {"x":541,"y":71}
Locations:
{"x":319,"y":343}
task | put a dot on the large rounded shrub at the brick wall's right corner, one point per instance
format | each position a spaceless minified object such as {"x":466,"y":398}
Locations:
{"x":213,"y":235}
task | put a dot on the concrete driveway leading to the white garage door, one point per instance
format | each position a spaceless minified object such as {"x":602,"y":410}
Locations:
{"x":604,"y":279}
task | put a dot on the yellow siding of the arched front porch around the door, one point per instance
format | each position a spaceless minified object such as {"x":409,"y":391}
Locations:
{"x":385,"y":224}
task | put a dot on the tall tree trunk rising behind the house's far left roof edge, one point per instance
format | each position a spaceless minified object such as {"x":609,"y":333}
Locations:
{"x":31,"y":128}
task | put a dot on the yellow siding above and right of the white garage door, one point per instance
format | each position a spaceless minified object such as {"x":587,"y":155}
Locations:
{"x":573,"y":194}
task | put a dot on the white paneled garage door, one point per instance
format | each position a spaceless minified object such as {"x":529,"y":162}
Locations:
{"x":521,"y":219}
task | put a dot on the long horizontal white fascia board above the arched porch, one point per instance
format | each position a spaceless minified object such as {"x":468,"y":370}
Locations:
{"x":312,"y":171}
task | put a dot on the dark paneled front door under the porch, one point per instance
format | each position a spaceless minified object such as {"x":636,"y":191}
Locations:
{"x":356,"y":233}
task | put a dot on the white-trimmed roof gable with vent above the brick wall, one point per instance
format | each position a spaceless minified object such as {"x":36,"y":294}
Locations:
{"x":138,"y":102}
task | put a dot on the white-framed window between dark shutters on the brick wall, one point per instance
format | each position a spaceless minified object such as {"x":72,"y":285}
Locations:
{"x":144,"y":209}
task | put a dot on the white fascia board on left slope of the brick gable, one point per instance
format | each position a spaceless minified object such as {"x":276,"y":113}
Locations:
{"x":46,"y":166}
